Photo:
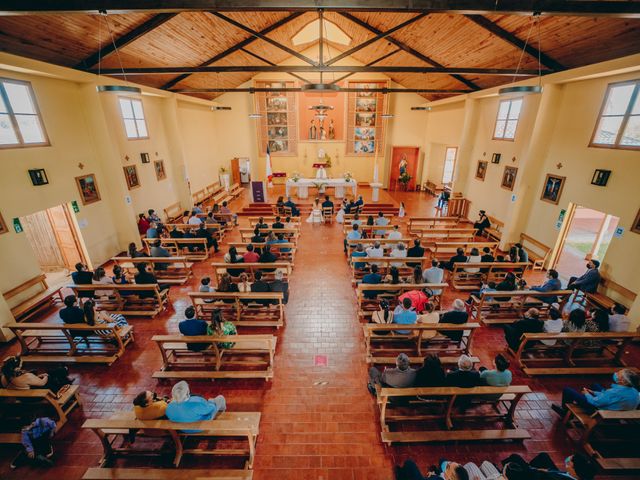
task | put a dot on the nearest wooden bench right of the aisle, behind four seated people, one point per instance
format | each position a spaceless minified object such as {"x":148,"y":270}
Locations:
{"x":437,"y":404}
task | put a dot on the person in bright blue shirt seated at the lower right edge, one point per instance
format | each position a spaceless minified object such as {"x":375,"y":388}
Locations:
{"x":621,"y":396}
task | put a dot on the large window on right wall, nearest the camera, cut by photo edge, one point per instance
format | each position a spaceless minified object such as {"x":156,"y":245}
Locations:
{"x":619,"y":122}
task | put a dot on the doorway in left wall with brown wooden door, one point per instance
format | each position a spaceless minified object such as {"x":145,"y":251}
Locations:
{"x":55,"y":241}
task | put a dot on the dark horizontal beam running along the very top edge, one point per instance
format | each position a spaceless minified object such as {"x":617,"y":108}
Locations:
{"x":628,"y":8}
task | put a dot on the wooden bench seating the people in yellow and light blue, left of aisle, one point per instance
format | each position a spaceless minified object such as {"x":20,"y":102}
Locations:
{"x":242,"y":425}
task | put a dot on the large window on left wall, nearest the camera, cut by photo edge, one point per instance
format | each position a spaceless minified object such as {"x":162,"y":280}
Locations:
{"x":20,"y":121}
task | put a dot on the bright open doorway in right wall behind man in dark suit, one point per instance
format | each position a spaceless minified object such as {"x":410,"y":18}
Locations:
{"x":587,"y":236}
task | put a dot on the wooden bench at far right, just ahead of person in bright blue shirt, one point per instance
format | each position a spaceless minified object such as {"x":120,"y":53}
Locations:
{"x":573,"y":353}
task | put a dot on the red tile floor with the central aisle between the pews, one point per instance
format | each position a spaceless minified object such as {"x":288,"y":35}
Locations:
{"x":318,"y":421}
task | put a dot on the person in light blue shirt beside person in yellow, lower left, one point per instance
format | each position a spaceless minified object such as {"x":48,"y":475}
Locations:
{"x":187,"y":408}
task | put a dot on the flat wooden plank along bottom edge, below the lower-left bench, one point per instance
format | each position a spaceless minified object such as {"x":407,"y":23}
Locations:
{"x":95,"y":473}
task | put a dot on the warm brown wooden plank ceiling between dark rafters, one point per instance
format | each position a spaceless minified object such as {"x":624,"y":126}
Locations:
{"x":192,"y":39}
